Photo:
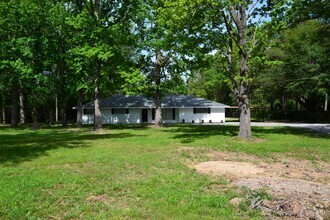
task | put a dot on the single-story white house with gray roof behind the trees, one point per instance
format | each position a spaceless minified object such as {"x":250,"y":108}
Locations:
{"x":136,"y":109}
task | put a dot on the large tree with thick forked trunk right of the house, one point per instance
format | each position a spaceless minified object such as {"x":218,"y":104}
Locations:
{"x":237,"y":24}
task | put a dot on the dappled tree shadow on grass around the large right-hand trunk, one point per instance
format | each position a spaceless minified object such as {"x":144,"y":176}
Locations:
{"x":191,"y":133}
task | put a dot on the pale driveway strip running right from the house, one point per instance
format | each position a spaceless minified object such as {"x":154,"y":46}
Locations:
{"x":323,"y":128}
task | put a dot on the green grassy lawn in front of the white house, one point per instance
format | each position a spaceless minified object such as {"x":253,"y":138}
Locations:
{"x":131,"y":172}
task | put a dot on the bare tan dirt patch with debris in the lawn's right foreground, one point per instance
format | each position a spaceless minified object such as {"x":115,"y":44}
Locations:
{"x":300,"y":189}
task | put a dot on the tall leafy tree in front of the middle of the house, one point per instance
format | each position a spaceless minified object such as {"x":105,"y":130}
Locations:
{"x":159,"y":56}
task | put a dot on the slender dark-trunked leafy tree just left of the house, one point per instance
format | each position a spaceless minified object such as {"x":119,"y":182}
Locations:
{"x":58,"y":56}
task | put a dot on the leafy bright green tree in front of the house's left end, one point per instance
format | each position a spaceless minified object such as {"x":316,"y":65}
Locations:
{"x":103,"y":30}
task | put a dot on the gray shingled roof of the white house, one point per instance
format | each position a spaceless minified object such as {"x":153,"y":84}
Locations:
{"x":171,"y":101}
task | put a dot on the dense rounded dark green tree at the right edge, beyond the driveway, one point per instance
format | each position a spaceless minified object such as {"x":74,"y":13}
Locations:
{"x":300,"y":66}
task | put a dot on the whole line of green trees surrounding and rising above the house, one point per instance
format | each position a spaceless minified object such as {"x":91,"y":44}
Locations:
{"x":56,"y":54}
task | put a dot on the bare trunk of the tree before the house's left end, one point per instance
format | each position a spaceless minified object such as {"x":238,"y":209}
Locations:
{"x":97,"y":111}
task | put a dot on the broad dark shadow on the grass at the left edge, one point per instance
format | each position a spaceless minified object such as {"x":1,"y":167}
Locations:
{"x":17,"y":146}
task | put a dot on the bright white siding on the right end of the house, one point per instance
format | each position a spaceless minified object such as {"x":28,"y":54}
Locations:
{"x":187,"y":114}
